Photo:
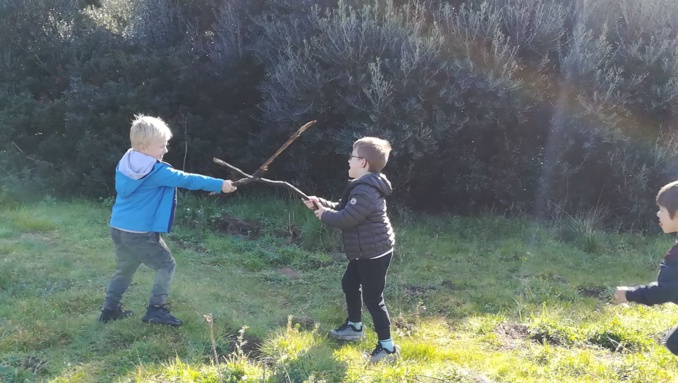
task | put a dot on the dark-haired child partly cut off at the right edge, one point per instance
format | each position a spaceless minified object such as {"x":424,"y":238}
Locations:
{"x":665,"y":289}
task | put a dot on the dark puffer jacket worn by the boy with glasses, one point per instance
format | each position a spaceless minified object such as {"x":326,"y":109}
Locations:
{"x":361,"y":215}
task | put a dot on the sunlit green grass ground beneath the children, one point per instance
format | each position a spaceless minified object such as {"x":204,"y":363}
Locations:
{"x":484,"y":299}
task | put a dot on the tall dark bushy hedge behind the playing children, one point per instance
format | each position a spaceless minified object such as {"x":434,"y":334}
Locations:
{"x":519,"y":106}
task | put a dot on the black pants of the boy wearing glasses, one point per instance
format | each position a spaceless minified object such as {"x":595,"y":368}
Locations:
{"x":364,"y":281}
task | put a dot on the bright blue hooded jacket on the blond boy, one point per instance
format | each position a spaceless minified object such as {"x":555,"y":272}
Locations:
{"x":146,"y":189}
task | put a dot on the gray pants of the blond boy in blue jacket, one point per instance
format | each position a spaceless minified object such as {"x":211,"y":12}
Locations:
{"x":131,"y":250}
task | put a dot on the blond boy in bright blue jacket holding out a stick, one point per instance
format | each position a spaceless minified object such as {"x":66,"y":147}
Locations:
{"x":144,"y":208}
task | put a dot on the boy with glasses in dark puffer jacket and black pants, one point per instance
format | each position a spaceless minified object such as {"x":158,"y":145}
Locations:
{"x":368,"y":241}
